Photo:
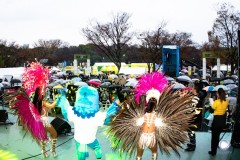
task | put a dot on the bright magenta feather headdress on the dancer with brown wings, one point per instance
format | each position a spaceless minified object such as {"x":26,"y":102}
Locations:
{"x":151,"y":81}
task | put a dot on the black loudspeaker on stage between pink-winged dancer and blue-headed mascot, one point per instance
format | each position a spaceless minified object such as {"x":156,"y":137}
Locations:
{"x":61,"y":126}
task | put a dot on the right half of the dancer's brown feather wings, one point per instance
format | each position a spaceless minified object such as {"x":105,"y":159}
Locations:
{"x":174,"y":109}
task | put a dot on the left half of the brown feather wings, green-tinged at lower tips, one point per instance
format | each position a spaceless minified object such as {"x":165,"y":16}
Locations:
{"x":123,"y":131}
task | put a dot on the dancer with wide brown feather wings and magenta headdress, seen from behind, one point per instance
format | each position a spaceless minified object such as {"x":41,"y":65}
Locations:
{"x":157,"y":117}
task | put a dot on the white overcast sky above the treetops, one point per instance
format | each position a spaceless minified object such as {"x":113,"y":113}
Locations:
{"x":26,"y":21}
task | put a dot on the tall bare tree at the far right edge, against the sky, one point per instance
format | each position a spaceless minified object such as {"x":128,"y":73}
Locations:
{"x":225,"y":31}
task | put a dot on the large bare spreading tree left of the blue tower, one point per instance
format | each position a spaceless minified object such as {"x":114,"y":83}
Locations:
{"x":112,"y":38}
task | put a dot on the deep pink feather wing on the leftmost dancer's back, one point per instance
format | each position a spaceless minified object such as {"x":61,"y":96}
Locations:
{"x":28,"y":114}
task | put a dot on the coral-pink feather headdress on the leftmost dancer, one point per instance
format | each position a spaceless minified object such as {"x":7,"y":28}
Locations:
{"x":35,"y":76}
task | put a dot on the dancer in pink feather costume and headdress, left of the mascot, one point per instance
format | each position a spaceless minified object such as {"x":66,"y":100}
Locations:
{"x":31,"y":106}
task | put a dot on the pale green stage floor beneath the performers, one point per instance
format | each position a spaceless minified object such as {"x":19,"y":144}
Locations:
{"x":11,"y":140}
